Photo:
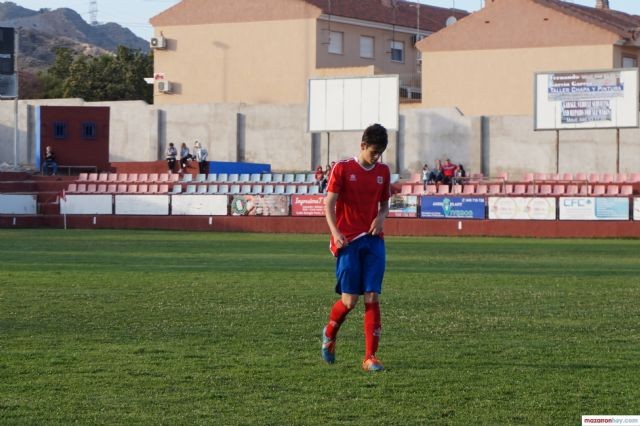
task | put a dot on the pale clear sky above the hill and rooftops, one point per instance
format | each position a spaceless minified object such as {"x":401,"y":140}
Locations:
{"x":135,"y":14}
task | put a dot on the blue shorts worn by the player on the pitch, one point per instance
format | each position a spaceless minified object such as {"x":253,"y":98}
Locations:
{"x":360,"y":266}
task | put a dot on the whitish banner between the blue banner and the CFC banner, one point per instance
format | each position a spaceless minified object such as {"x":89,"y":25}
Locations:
{"x":522,"y":208}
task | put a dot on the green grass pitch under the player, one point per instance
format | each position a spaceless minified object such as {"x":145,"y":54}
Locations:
{"x":160,"y":327}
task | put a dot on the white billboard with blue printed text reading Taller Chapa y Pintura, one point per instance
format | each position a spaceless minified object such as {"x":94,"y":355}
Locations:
{"x":586,"y":99}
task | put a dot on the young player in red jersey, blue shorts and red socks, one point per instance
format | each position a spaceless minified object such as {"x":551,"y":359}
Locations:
{"x":356,"y":207}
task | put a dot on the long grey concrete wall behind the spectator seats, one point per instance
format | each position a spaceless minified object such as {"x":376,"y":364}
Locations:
{"x":276,"y":134}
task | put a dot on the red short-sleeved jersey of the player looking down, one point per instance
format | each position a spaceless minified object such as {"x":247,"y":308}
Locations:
{"x":359,"y":193}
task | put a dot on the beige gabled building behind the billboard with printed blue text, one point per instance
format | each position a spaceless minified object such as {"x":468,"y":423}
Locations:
{"x":485,"y":64}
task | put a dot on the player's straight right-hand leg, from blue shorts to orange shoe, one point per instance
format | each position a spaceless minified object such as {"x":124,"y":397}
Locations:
{"x":373,"y":271}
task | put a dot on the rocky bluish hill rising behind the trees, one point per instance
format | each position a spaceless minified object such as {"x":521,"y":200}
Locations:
{"x":42,"y":32}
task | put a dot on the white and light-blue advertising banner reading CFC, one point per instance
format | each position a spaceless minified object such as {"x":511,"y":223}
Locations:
{"x":594,"y":208}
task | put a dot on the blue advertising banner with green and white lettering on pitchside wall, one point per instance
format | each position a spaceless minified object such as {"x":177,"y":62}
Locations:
{"x":452,"y":207}
